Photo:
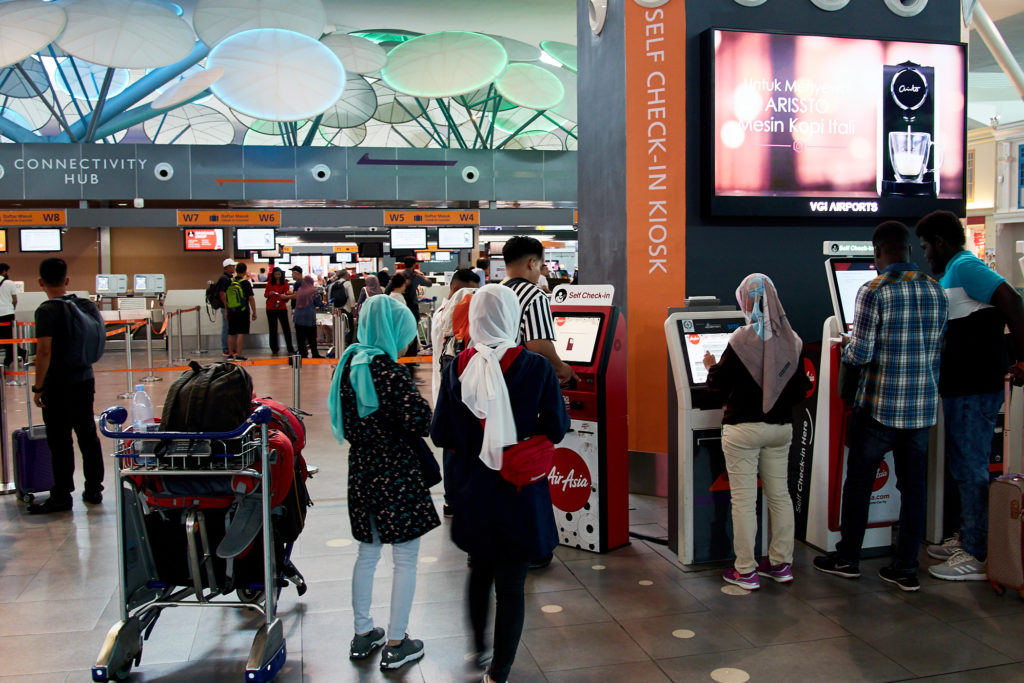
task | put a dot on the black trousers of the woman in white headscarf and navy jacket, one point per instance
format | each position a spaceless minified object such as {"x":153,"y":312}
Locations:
{"x":509,"y":579}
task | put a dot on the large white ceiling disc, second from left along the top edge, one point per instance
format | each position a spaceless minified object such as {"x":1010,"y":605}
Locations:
{"x":127,"y":34}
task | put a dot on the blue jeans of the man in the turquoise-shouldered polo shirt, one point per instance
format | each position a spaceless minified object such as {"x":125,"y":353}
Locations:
{"x":970,"y":423}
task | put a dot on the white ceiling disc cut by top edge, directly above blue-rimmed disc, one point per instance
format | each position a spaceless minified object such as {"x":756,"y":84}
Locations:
{"x":217,"y":20}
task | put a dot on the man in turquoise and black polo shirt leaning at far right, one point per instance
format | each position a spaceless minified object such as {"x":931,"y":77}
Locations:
{"x":974,"y":367}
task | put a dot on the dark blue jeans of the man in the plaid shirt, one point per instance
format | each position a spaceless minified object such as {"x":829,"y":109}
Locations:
{"x":870,"y":441}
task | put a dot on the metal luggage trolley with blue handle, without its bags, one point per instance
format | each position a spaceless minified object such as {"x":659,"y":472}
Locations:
{"x":143,"y":594}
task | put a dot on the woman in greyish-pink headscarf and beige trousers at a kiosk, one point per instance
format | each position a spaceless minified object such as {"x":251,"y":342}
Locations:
{"x":761,"y":377}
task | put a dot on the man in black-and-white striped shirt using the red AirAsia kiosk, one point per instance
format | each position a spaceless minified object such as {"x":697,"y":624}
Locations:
{"x":524,"y":259}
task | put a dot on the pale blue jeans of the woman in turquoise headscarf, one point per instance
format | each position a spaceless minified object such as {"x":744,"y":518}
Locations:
{"x":405,"y":557}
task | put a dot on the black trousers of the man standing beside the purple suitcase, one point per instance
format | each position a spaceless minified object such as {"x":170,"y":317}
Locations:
{"x":68,"y":408}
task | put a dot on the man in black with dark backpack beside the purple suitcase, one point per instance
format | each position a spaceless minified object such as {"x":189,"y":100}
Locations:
{"x":71,"y":337}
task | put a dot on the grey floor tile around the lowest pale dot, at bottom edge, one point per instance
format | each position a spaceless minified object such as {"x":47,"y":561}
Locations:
{"x":836,"y":660}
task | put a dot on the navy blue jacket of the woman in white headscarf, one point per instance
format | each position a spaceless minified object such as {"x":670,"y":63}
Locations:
{"x":492,"y":519}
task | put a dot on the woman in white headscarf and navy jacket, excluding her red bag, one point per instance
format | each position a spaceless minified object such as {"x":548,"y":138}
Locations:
{"x":516,"y":395}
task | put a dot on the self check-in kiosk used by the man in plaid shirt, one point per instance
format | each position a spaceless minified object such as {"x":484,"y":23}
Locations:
{"x":829,"y":467}
